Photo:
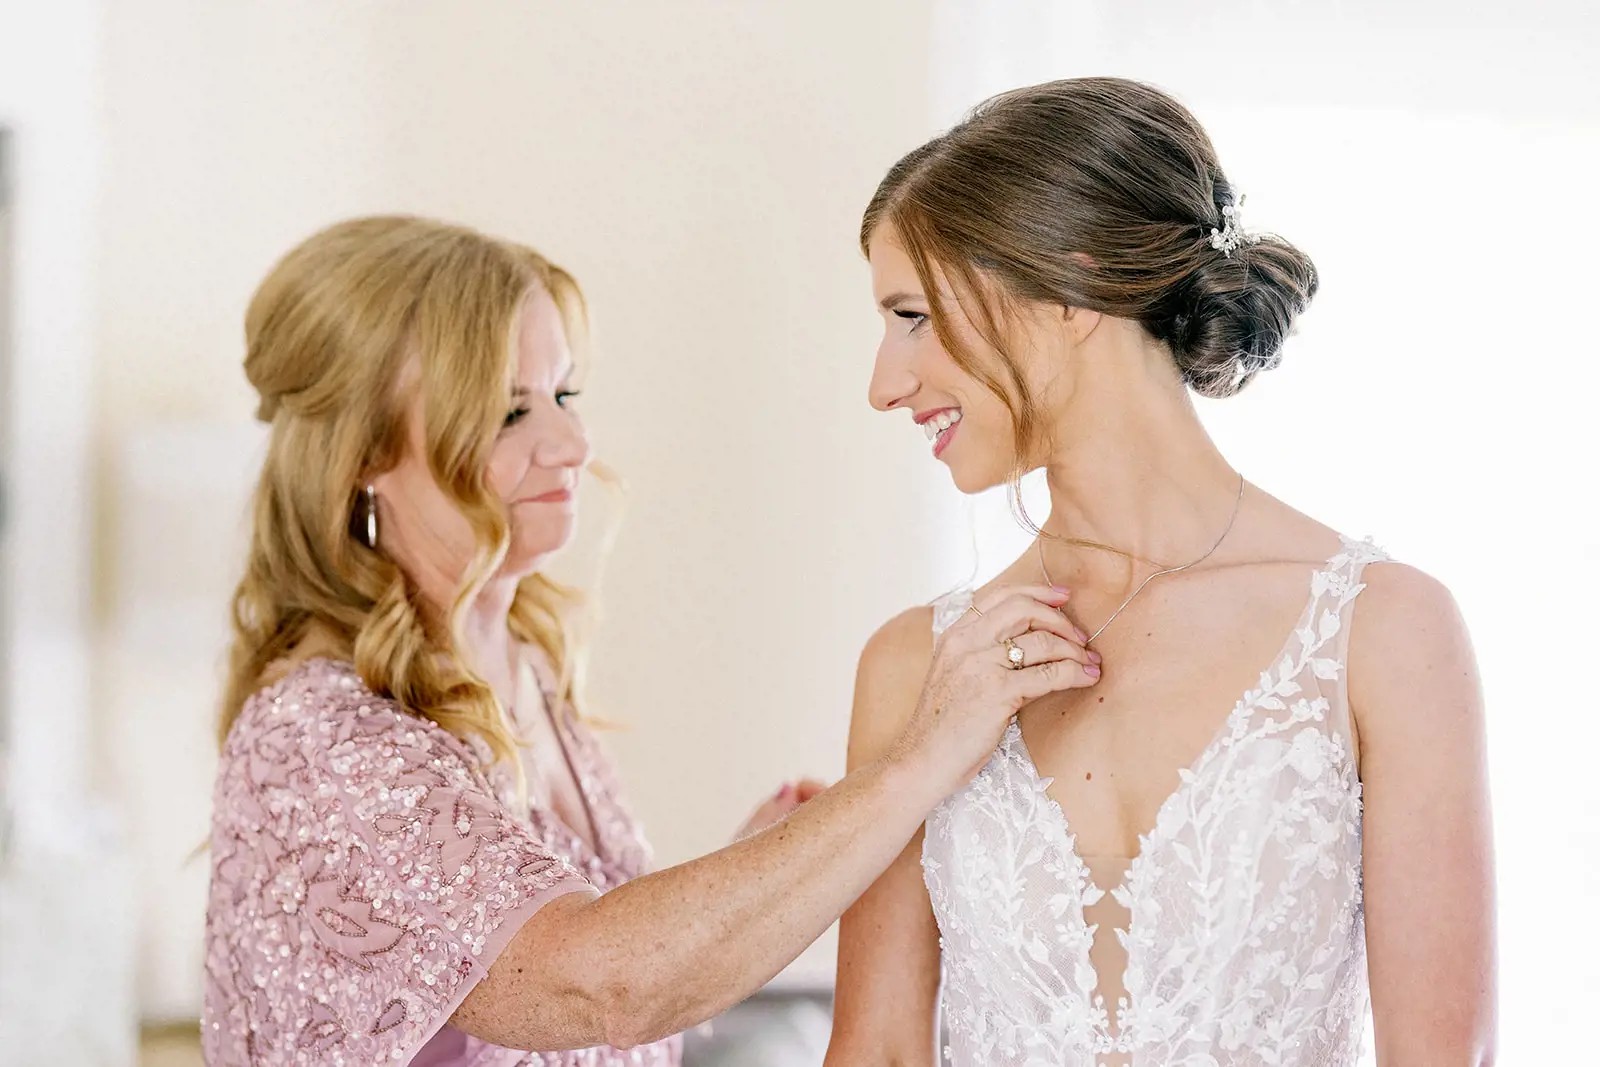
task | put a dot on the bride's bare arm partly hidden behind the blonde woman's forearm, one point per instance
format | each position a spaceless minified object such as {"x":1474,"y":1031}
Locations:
{"x":886,"y":1005}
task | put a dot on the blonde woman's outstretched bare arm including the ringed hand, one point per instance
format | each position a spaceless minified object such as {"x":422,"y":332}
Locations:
{"x":676,"y":948}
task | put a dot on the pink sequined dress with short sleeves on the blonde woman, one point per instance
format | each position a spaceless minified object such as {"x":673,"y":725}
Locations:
{"x":366,"y":874}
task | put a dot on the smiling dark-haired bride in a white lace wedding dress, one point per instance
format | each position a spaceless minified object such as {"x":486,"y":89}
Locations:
{"x":1271,"y":812}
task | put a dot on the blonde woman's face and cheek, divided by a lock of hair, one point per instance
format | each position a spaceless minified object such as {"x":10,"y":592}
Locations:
{"x":534,"y":466}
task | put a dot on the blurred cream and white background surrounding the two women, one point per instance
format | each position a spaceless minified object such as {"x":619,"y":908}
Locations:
{"x":702,"y":169}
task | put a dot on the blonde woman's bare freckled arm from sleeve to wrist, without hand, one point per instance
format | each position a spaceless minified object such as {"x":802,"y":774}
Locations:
{"x":676,"y":948}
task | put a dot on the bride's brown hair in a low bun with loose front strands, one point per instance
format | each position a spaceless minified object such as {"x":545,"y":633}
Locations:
{"x":1100,"y":194}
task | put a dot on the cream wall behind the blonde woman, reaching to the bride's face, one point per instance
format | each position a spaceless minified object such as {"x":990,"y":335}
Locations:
{"x":702,"y":169}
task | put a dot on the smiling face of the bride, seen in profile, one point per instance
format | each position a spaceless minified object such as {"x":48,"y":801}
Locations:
{"x":970,"y":428}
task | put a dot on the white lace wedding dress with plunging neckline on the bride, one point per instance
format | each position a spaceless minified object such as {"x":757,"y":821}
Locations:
{"x":1239,"y":937}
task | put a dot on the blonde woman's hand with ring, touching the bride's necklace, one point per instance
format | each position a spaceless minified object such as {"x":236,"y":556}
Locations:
{"x":974,"y":689}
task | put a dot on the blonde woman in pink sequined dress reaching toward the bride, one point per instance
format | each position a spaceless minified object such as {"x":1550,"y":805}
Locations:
{"x":420,"y":853}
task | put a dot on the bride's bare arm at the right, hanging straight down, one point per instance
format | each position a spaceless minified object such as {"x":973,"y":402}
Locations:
{"x":1428,"y":857}
